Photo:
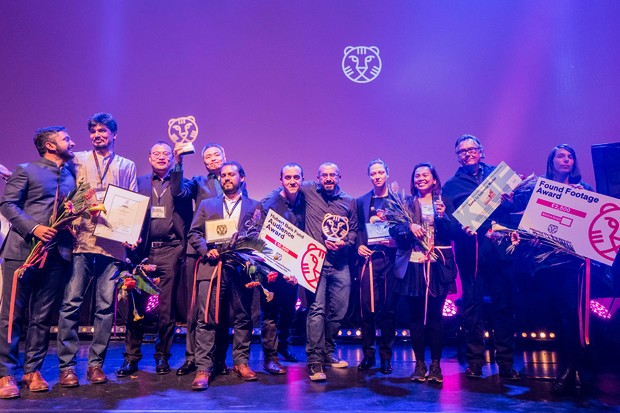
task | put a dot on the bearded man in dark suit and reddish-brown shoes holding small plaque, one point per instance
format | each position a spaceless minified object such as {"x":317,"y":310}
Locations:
{"x":232,"y":205}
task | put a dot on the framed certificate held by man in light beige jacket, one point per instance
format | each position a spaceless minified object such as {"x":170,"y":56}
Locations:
{"x":124,"y":217}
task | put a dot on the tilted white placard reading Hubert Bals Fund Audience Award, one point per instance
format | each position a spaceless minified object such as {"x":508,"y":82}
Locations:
{"x":293,"y":251}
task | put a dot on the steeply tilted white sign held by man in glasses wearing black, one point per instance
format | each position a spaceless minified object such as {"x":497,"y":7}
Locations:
{"x":486,"y":198}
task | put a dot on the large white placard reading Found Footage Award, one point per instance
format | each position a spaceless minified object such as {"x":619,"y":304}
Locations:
{"x":582,"y":221}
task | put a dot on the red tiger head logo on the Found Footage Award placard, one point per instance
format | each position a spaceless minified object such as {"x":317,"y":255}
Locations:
{"x":604,"y":230}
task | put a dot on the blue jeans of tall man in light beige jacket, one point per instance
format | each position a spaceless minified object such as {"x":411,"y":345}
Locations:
{"x":86,"y":268}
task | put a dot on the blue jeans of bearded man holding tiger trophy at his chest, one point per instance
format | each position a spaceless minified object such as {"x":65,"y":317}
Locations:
{"x":328,"y":306}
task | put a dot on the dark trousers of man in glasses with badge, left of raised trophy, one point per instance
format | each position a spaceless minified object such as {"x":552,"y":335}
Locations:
{"x":169,"y":261}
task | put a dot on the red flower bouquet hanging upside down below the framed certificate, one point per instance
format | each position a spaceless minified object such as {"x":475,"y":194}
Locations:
{"x":135,"y":279}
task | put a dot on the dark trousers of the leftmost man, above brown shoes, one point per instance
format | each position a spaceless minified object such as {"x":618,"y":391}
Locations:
{"x":39,"y":291}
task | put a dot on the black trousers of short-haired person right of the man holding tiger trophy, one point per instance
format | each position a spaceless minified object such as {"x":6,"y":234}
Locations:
{"x":385,"y":301}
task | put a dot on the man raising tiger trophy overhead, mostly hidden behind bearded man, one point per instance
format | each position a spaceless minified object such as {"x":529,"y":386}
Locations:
{"x":200,"y":188}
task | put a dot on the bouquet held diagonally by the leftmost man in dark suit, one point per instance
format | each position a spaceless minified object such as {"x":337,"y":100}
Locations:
{"x":81,"y":202}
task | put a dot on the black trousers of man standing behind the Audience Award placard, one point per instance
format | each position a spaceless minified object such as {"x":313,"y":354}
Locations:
{"x":277,"y":317}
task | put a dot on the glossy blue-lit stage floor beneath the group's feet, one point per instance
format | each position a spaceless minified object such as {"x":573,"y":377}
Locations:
{"x":344,"y":390}
